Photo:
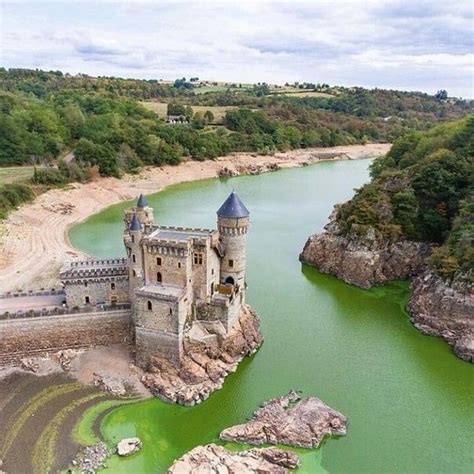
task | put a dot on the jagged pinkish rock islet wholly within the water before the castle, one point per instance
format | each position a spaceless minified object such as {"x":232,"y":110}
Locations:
{"x":289,"y":420}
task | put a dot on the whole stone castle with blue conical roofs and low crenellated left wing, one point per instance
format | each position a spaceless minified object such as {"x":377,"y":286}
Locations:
{"x":183,"y":285}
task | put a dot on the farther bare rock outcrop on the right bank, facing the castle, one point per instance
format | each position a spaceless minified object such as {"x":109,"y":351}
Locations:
{"x":363,"y":262}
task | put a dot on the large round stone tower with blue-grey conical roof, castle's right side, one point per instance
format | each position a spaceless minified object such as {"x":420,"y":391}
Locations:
{"x":233,"y":225}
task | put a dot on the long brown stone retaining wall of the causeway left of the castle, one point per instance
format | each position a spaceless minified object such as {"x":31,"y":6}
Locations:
{"x":26,"y":337}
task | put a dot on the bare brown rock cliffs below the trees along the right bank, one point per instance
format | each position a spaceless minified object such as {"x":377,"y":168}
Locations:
{"x":437,"y":308}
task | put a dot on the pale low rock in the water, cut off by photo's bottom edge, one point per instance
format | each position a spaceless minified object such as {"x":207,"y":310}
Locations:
{"x":214,"y":459}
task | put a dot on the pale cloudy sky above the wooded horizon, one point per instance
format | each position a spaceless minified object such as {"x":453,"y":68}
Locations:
{"x":408,"y":45}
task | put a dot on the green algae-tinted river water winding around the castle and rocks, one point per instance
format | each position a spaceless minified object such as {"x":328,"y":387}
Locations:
{"x":409,"y":400}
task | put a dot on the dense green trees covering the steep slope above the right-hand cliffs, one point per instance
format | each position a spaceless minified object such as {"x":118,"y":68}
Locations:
{"x":423,"y":190}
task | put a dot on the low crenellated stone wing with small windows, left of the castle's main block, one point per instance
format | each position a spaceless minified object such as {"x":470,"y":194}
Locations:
{"x":98,"y":291}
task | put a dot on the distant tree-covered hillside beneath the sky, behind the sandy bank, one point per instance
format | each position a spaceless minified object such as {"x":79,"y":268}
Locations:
{"x":75,"y":127}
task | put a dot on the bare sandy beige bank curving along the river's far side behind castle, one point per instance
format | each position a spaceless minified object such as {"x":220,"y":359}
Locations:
{"x":34,"y":239}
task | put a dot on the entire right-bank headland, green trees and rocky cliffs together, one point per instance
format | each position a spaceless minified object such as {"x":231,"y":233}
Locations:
{"x":413,"y":220}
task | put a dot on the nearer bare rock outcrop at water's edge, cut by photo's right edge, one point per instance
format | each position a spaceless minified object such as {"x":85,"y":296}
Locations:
{"x":447,"y":311}
